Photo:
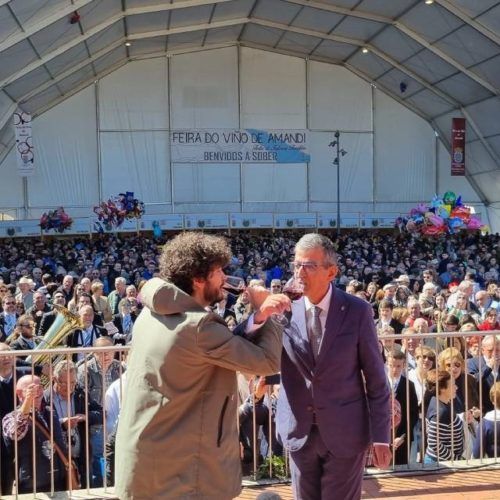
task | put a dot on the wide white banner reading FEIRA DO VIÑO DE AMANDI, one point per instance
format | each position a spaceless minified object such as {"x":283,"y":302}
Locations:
{"x":239,"y":146}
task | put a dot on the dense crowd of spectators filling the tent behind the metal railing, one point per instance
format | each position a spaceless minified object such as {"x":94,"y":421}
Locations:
{"x":446,"y":391}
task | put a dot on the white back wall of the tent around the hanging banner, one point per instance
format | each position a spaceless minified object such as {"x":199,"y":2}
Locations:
{"x":88,"y":149}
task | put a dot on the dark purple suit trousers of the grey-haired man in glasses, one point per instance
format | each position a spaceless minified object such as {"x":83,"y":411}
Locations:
{"x":318,"y":475}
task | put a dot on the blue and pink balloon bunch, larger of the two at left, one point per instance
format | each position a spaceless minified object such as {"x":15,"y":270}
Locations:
{"x":113,"y":212}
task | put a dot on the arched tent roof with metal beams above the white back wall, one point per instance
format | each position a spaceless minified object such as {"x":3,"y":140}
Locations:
{"x":440,"y":60}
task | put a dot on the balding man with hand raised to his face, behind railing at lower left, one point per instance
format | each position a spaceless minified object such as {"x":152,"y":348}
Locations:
{"x":18,"y":426}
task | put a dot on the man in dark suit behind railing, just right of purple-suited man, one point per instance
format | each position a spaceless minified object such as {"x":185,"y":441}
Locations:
{"x":403,"y":390}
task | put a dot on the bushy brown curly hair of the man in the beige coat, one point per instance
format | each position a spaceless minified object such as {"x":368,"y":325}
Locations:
{"x":192,"y":255}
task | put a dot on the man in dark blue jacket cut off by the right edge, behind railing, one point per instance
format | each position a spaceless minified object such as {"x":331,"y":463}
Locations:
{"x":486,"y":368}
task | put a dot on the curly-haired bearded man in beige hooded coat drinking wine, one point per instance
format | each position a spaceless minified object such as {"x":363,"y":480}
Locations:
{"x":177,"y":434}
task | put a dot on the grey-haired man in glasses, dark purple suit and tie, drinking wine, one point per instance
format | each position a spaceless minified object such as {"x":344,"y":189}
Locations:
{"x":334,"y":399}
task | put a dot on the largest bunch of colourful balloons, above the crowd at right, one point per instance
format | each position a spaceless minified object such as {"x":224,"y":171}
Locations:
{"x":443,"y":215}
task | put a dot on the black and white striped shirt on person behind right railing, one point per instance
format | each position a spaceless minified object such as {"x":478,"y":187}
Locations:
{"x":445,"y":436}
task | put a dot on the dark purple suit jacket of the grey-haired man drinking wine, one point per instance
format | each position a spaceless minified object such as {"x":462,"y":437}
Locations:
{"x":345,"y":391}
